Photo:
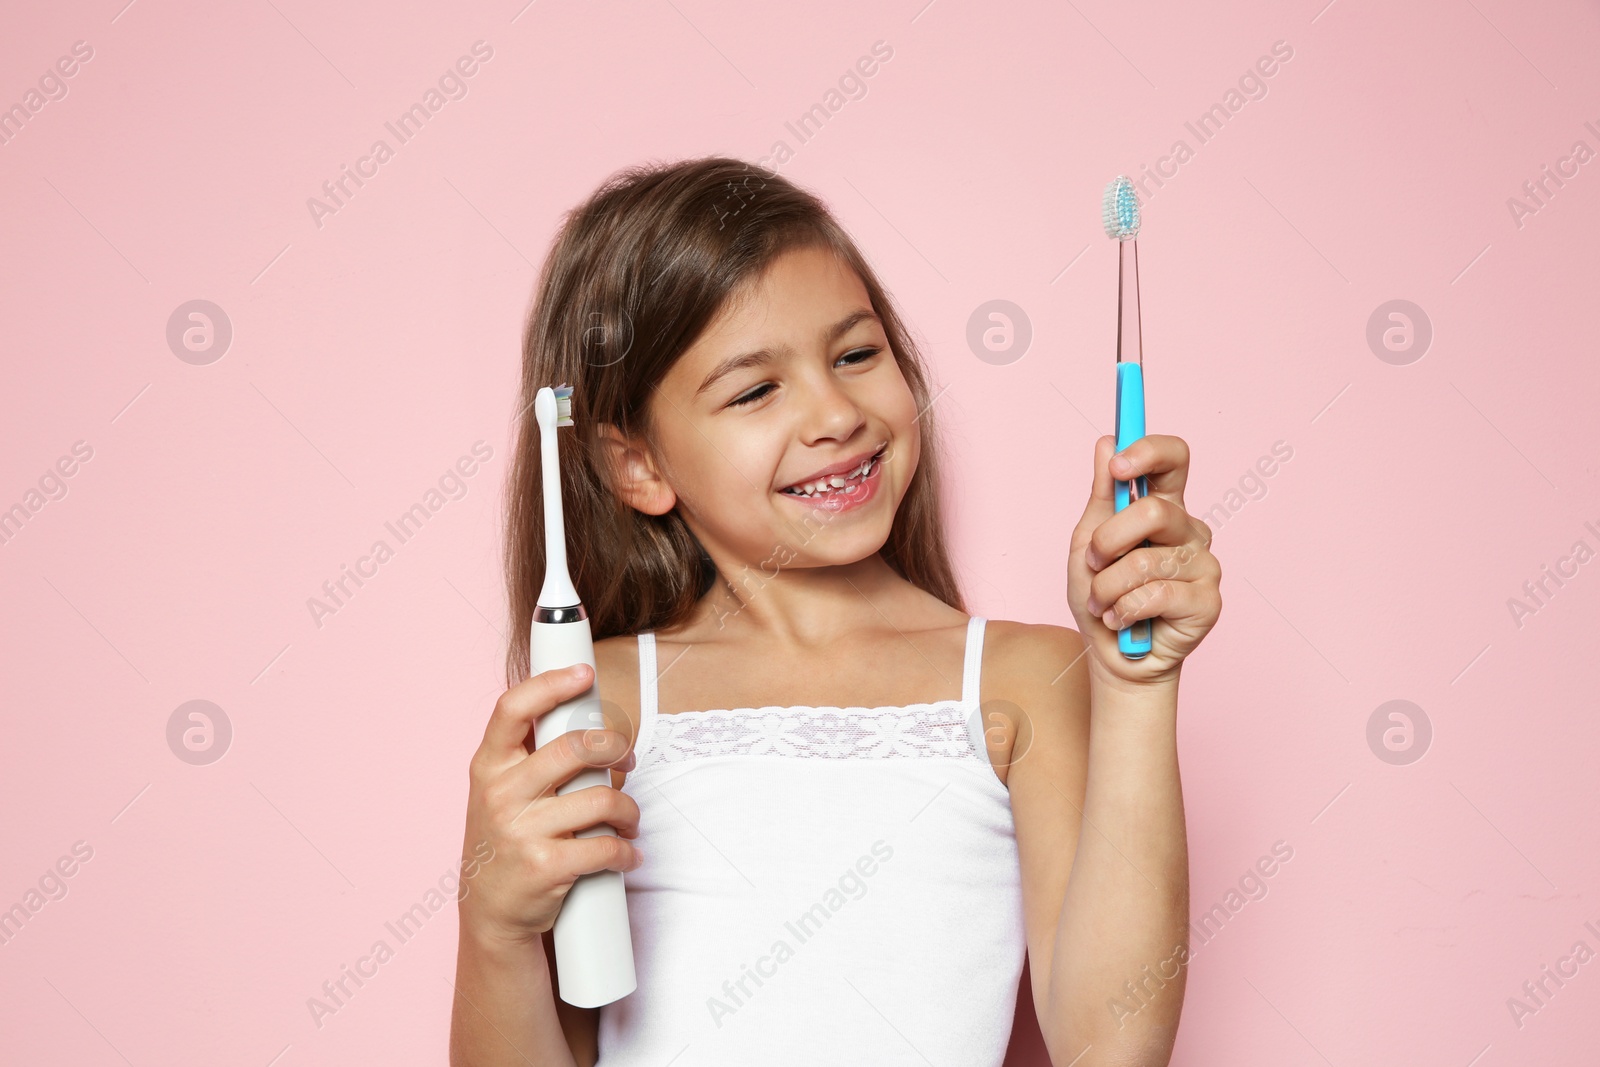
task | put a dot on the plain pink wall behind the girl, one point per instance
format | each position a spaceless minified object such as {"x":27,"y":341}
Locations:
{"x":369,"y":354}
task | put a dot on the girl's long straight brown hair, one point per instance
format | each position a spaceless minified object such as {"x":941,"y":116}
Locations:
{"x":633,"y":279}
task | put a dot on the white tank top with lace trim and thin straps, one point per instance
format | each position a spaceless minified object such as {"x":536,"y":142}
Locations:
{"x":822,"y":885}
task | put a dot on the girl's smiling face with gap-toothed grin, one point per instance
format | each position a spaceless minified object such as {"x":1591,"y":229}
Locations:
{"x":794,"y":385}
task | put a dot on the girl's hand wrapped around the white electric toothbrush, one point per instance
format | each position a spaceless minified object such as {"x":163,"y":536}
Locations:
{"x":513,"y":807}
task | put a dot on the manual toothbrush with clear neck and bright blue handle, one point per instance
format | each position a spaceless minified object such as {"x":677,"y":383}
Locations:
{"x":1121,"y":214}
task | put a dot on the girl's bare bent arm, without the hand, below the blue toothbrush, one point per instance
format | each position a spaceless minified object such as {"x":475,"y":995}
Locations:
{"x":1100,"y":829}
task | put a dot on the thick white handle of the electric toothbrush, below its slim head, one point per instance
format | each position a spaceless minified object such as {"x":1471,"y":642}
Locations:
{"x":594,"y":948}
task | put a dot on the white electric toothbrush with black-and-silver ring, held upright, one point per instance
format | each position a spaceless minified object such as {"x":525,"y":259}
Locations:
{"x":594,"y":948}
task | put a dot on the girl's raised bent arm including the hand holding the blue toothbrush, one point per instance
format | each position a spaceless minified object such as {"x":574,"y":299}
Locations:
{"x":1098,"y":796}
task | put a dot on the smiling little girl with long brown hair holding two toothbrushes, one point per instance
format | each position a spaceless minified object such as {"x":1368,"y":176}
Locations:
{"x":846,"y":807}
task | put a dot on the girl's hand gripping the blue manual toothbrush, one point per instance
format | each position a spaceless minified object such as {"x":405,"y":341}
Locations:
{"x":1175,"y":581}
